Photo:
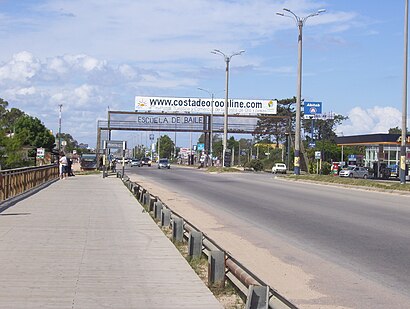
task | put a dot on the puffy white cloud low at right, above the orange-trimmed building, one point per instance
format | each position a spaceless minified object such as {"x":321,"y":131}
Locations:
{"x":372,"y":120}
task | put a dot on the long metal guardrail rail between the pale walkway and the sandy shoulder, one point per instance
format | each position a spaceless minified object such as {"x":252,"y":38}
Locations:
{"x":241,"y":277}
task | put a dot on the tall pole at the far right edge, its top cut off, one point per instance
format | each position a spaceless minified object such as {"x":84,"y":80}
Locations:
{"x":404,"y":108}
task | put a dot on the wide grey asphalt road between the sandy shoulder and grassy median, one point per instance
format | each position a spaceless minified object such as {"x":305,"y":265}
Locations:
{"x":365,"y":234}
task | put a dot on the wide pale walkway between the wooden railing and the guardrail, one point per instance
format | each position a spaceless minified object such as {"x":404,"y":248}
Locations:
{"x":84,"y":242}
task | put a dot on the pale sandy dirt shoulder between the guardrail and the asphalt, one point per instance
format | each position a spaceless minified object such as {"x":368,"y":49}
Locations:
{"x":289,"y":279}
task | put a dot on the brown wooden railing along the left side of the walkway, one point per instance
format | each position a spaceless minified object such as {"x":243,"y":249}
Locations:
{"x":17,"y":181}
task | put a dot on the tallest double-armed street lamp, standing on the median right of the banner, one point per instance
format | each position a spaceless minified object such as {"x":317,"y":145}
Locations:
{"x":300,"y":21}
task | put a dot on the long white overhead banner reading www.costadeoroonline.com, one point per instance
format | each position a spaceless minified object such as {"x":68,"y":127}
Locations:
{"x":205,"y":106}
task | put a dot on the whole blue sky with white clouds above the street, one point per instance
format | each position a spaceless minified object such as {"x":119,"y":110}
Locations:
{"x":93,"y":55}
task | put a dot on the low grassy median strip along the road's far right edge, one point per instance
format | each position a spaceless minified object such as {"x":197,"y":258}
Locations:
{"x":365,"y":183}
